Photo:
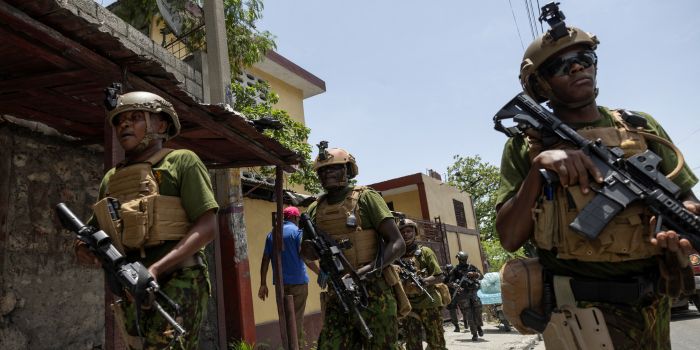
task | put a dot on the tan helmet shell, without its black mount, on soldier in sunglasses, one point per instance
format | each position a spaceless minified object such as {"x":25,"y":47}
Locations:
{"x":542,"y":49}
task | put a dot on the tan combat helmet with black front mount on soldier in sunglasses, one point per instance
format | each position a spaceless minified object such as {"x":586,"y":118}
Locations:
{"x":546,"y":46}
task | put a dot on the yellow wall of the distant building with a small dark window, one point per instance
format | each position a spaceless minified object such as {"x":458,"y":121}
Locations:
{"x":440,"y":195}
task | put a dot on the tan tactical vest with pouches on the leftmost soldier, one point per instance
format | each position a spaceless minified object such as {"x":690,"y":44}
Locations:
{"x":144,"y":217}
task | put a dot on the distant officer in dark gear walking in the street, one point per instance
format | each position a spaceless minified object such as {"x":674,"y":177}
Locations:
{"x":465,"y":278}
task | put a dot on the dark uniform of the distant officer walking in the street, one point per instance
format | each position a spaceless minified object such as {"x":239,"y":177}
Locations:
{"x":467,"y":300}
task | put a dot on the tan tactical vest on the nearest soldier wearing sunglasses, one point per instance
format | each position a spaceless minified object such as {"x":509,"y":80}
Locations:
{"x":626,"y":237}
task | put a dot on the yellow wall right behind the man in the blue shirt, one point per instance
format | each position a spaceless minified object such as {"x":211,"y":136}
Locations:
{"x":258,"y":221}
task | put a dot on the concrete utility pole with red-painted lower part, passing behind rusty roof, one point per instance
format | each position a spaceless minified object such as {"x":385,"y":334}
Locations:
{"x":233,"y":286}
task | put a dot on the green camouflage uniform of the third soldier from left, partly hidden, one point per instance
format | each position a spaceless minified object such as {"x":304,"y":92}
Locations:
{"x":425,"y":315}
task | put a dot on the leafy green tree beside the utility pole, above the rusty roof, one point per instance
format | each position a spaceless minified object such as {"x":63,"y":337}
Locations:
{"x":246,"y":46}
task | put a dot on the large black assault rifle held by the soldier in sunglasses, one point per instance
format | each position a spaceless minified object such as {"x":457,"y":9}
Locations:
{"x":625,"y":180}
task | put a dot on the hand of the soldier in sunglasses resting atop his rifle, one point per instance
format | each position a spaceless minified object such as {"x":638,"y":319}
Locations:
{"x":572,"y":166}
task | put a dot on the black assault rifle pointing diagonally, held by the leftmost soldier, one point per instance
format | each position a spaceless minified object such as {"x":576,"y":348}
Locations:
{"x":123,"y":277}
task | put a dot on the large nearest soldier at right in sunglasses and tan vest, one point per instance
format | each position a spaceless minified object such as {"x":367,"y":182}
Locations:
{"x":628,"y":271}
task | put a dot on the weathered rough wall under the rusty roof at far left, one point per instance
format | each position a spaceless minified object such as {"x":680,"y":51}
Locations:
{"x":48,"y":301}
